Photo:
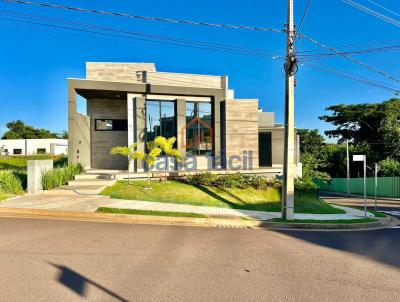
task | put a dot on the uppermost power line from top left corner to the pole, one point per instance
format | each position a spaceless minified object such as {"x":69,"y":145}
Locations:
{"x":147,"y":18}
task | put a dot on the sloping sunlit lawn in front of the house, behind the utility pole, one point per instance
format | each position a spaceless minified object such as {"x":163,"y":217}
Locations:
{"x":249,"y":199}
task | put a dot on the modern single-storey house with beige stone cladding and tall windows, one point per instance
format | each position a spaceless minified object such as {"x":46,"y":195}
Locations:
{"x":133,"y":103}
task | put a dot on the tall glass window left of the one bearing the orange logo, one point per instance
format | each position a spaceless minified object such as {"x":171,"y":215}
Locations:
{"x":160,"y":119}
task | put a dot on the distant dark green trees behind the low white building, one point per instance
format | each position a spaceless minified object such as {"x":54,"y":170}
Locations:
{"x":19,"y":130}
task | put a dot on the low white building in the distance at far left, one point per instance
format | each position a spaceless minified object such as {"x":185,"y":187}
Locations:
{"x":33,"y":146}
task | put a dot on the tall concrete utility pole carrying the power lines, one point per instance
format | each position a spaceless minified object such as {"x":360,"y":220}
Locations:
{"x":289,"y":146}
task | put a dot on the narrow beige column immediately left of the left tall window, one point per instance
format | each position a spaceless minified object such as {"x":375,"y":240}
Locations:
{"x":140,"y":128}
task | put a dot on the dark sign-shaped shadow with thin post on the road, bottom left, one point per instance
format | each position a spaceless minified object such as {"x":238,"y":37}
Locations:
{"x":78,"y":283}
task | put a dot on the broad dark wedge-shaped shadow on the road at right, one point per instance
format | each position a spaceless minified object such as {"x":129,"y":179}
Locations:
{"x":379,"y":245}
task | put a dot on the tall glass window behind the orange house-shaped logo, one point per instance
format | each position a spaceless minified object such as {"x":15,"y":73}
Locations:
{"x":199,"y":140}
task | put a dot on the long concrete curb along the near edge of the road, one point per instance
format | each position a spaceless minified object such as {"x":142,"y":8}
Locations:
{"x":183,"y":221}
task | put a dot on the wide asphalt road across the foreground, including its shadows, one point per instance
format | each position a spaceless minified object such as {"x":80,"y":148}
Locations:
{"x":51,"y":260}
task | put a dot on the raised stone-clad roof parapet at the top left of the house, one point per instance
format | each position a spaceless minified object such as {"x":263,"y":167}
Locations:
{"x":117,"y":72}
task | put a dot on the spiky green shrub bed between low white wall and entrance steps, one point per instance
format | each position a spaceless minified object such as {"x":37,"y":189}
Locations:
{"x":58,"y":177}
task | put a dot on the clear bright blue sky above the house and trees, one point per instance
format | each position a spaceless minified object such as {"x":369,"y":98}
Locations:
{"x":35,"y":60}
